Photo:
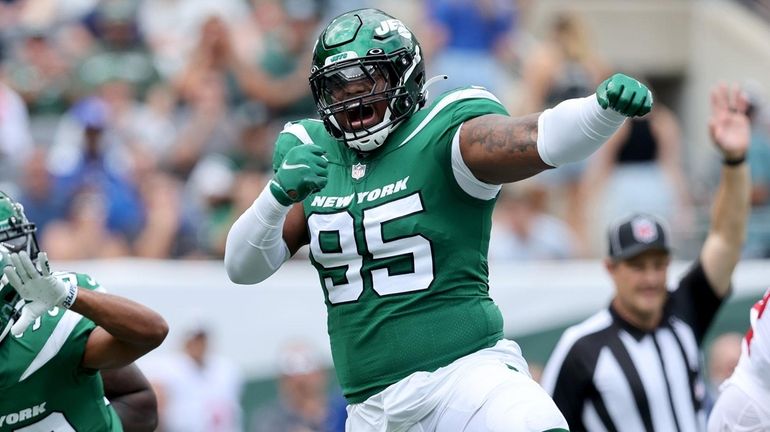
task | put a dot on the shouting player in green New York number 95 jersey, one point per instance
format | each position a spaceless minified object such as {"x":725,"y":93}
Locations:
{"x":395,"y":200}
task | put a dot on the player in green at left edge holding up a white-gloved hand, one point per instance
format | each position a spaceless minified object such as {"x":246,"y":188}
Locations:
{"x":57,"y":331}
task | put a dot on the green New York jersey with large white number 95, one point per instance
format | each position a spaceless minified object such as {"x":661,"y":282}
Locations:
{"x":401,"y":248}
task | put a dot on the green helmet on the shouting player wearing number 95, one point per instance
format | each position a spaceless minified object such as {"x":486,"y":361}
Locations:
{"x":367,"y":76}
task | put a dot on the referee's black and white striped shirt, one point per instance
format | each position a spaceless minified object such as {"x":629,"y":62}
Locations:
{"x":606,"y":375}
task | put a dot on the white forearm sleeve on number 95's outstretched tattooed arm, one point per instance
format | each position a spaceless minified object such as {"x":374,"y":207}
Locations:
{"x":574,"y":129}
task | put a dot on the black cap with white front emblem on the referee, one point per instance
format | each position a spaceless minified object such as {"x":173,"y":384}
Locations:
{"x":636,"y":234}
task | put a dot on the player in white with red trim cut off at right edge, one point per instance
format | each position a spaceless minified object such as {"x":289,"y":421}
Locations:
{"x":744,"y":400}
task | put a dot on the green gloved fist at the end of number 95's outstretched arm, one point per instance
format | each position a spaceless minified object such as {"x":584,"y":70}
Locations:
{"x":624,"y":95}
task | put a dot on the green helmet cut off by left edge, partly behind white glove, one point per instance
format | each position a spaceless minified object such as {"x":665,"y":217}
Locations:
{"x":16,"y":234}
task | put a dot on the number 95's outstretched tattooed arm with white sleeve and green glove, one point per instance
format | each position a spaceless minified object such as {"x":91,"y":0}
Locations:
{"x":500,"y":149}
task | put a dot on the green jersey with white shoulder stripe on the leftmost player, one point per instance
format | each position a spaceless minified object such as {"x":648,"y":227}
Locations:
{"x":42,"y":386}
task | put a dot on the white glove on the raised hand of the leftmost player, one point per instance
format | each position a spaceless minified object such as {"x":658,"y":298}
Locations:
{"x":41,"y":290}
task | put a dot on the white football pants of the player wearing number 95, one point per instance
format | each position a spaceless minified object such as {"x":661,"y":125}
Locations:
{"x":486,"y":391}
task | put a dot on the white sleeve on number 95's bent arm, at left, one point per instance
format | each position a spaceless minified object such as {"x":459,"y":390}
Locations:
{"x":255,"y":248}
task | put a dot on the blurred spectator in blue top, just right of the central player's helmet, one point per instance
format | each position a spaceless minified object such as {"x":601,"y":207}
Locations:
{"x":471,"y":32}
